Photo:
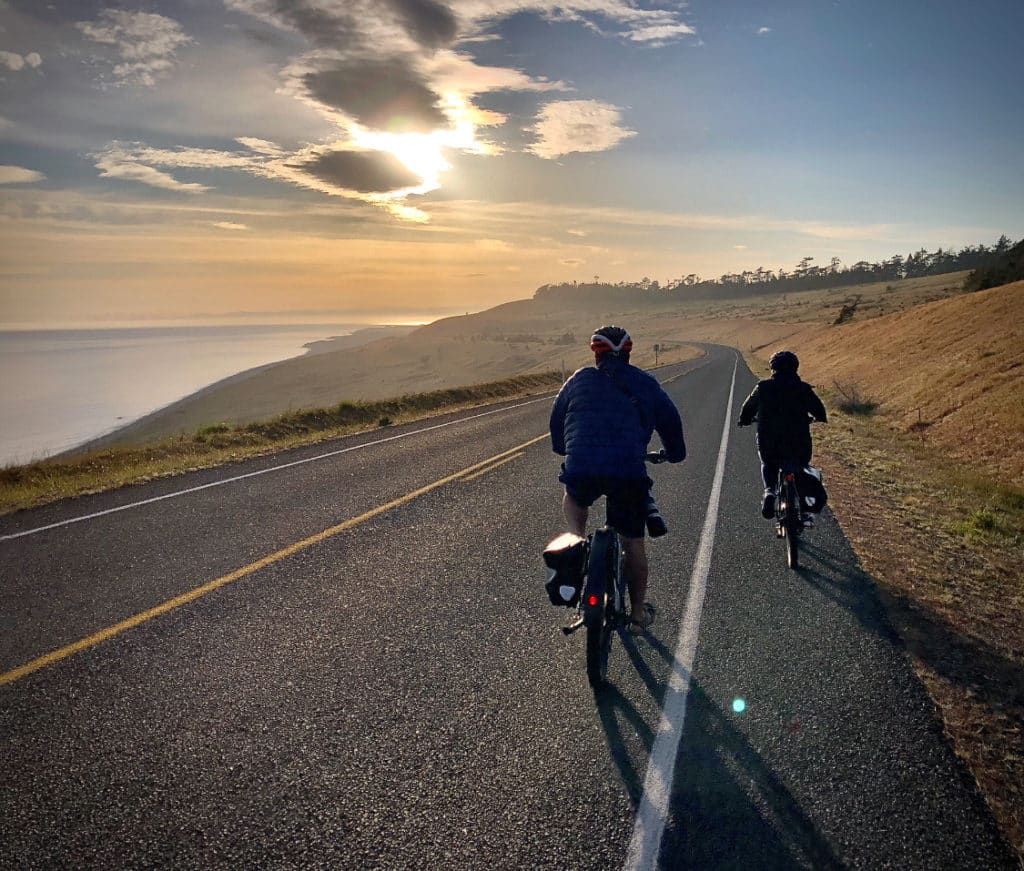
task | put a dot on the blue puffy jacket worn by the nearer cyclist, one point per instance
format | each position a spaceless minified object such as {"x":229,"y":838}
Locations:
{"x":600,"y":430}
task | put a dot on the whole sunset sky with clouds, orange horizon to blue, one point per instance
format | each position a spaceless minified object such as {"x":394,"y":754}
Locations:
{"x":386,"y":161}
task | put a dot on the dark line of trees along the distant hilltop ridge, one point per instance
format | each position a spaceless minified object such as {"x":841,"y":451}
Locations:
{"x":806,"y":276}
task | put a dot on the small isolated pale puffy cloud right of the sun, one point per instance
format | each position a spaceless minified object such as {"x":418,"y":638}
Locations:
{"x":577,"y":126}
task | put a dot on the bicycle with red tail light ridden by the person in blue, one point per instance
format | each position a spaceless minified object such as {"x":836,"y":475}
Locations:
{"x":604,"y":608}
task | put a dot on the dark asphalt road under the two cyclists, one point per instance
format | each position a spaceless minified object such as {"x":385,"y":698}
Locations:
{"x":278,"y":673}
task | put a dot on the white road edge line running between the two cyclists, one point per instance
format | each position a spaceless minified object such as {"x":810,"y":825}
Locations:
{"x":654,"y":811}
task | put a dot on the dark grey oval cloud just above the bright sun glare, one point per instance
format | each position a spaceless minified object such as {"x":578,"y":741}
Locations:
{"x":380,"y":96}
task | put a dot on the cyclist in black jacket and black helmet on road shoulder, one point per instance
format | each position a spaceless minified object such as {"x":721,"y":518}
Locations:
{"x":784,"y":407}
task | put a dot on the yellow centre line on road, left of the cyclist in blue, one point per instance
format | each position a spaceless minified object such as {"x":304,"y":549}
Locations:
{"x":172,"y":604}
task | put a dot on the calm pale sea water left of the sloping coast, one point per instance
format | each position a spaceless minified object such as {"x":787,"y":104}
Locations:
{"x":61,"y":388}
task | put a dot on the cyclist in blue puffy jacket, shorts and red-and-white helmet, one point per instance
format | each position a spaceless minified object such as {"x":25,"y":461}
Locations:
{"x":603,"y":422}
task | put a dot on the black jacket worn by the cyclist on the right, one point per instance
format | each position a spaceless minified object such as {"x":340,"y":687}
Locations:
{"x":784,"y":407}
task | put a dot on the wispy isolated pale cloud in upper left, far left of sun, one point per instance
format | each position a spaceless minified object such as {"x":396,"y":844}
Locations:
{"x":147,"y":43}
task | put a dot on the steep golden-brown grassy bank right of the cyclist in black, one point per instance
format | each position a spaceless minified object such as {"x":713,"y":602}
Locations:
{"x":952,"y":372}
